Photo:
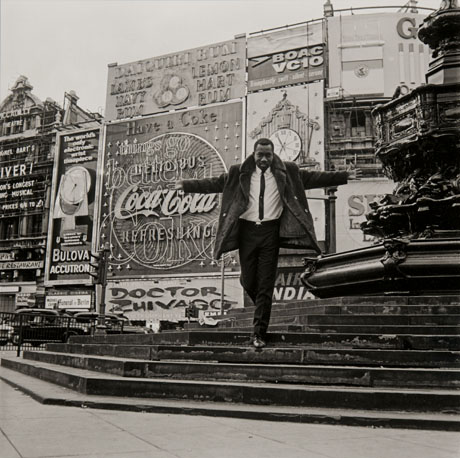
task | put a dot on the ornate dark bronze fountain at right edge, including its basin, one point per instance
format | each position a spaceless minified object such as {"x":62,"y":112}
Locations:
{"x":418,"y":143}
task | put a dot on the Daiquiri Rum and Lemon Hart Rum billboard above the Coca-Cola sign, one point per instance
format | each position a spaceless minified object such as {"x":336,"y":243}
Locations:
{"x":199,"y":76}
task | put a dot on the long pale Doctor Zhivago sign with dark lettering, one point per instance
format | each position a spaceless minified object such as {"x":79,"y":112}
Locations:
{"x":167,"y":299}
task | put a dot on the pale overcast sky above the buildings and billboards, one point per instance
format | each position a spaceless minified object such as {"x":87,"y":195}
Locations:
{"x":64,"y":45}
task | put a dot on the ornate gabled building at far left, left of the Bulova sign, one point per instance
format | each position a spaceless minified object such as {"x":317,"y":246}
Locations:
{"x":28,"y":128}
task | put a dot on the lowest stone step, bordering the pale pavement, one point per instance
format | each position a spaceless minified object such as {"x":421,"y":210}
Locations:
{"x":51,"y":394}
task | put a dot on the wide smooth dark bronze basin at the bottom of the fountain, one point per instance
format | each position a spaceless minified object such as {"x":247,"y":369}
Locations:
{"x":394,"y":267}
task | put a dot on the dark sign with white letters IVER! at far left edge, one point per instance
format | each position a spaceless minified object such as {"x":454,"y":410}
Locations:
{"x":22,"y":188}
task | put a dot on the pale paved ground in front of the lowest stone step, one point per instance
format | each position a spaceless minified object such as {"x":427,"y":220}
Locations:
{"x":31,"y":429}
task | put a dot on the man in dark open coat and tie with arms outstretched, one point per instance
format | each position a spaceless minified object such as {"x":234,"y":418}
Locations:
{"x":264,"y":208}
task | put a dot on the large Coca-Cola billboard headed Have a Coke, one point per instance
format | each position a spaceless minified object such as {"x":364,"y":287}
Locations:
{"x":152,"y":228}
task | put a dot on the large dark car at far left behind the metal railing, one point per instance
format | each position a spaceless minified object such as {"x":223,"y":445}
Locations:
{"x":37,"y":326}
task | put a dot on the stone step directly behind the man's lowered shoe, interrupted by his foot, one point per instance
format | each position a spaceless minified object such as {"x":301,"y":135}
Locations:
{"x":388,"y":341}
